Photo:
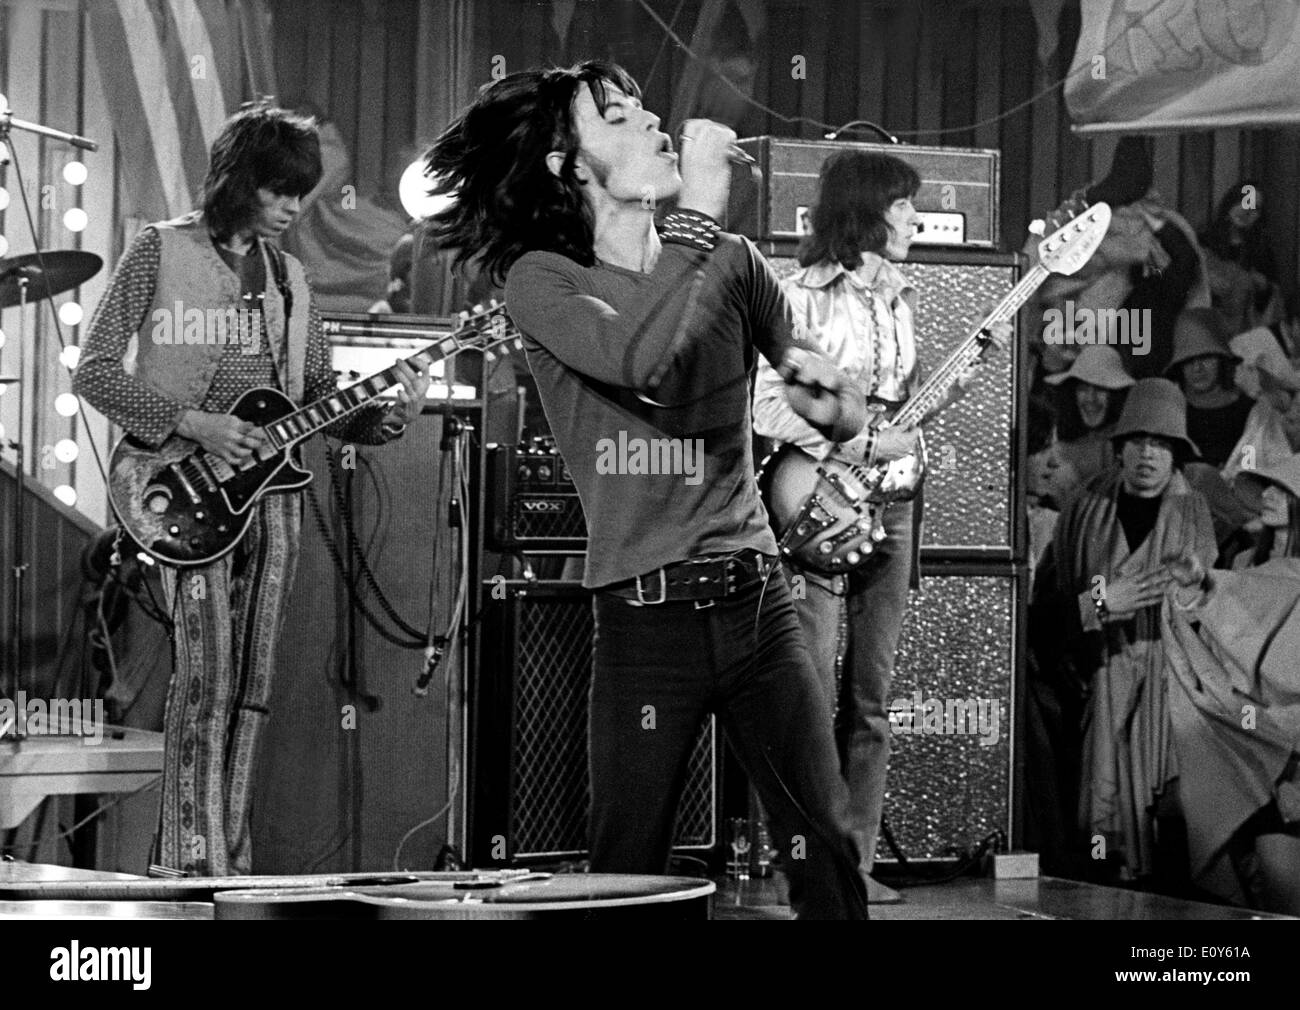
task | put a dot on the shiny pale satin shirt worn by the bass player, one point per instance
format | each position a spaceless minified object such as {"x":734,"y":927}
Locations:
{"x":863,"y":320}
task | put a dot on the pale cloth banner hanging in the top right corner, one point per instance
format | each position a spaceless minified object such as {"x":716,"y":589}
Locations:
{"x":1152,"y":66}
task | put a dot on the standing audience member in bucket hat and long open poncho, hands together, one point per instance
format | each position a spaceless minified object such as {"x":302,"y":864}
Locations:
{"x":1108,"y":573}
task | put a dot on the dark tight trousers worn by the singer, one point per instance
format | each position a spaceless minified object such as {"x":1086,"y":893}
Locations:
{"x":658,"y":671}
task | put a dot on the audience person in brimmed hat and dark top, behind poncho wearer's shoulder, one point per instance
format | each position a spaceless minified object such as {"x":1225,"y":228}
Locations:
{"x":1203,"y":366}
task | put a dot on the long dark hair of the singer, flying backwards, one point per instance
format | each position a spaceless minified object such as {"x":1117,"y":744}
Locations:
{"x":493,"y":159}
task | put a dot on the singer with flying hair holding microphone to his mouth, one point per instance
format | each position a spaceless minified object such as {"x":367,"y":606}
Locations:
{"x":653,"y":332}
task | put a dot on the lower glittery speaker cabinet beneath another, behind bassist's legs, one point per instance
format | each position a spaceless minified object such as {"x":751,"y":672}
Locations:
{"x":955,"y":710}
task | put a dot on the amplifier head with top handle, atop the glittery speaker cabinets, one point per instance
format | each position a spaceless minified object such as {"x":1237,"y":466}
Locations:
{"x":955,"y":183}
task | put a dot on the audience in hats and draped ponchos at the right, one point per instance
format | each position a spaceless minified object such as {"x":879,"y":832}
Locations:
{"x":1164,"y":500}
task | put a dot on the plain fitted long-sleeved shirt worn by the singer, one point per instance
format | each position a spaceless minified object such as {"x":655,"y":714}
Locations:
{"x":645,"y":380}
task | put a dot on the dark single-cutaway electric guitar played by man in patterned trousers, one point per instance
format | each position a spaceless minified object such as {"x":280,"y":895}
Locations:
{"x":187,"y":506}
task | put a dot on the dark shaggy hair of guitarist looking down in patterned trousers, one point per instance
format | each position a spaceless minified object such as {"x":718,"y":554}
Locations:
{"x":259,"y":148}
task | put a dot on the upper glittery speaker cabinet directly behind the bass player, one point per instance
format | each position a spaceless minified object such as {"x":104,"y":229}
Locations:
{"x":972,"y":486}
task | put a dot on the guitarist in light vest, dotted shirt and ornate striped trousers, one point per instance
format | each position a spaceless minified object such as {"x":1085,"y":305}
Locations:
{"x":227,"y":615}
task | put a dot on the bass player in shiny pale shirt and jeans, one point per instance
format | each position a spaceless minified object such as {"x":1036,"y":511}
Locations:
{"x":860,"y":309}
